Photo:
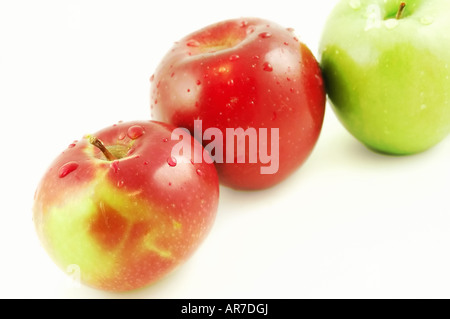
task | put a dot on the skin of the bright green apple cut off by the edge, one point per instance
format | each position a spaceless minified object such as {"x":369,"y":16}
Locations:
{"x":388,"y":79}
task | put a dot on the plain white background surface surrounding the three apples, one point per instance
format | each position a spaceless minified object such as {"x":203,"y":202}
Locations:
{"x":349,"y":224}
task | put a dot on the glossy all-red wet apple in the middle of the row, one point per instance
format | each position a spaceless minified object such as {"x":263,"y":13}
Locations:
{"x":244,"y":73}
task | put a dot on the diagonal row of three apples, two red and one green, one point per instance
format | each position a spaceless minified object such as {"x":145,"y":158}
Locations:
{"x":126,"y":208}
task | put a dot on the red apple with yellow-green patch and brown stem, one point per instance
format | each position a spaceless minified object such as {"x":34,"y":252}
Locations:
{"x":122,"y":209}
